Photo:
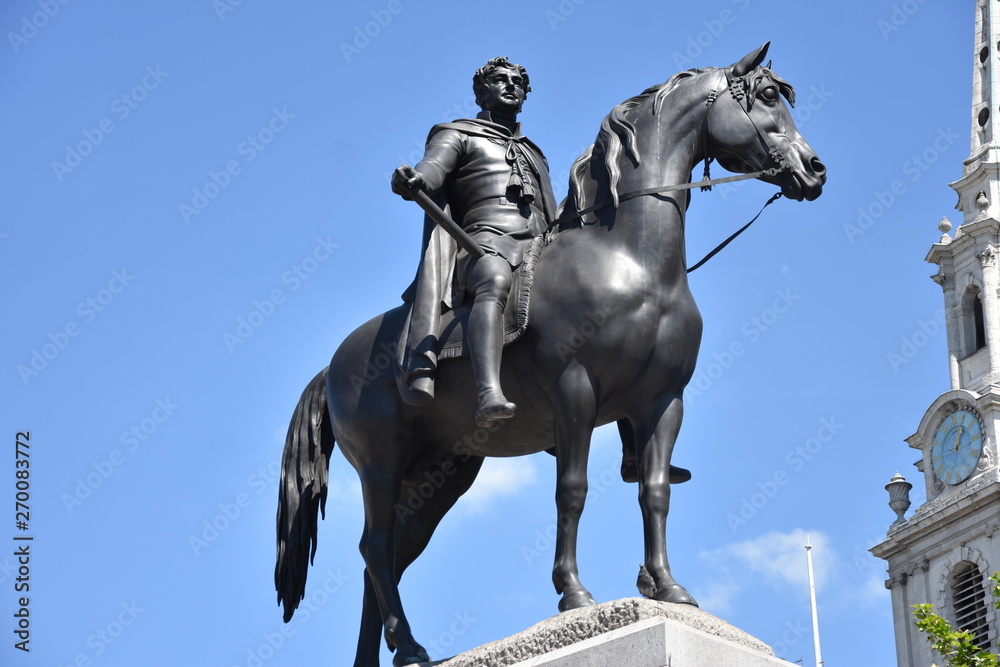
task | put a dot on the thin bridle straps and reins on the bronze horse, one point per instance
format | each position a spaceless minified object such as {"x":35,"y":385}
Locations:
{"x":737,"y":89}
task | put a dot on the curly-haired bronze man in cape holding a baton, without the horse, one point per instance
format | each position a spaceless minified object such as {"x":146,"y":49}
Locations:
{"x":495,"y":182}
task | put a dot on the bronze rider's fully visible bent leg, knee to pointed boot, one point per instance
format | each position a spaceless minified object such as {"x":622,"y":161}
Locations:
{"x":489,"y":280}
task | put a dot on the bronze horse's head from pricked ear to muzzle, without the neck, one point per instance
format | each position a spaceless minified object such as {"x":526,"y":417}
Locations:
{"x":749,"y":128}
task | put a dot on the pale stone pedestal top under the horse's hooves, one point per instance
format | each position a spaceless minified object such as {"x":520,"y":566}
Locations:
{"x":634,"y":632}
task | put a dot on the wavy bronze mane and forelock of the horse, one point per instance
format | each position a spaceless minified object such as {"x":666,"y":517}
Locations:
{"x":618,"y":133}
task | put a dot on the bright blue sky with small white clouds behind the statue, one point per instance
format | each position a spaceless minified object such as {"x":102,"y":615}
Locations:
{"x":197,"y":212}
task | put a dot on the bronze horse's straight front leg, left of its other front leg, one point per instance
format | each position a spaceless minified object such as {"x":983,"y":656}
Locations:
{"x":574,"y":416}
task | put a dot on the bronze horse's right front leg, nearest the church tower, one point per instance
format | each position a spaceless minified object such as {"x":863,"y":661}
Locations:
{"x":655,"y":445}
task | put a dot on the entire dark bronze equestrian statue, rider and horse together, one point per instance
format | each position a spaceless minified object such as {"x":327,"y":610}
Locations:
{"x":630,"y":267}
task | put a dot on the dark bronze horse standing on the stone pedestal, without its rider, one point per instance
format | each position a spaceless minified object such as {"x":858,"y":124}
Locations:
{"x":615,"y":269}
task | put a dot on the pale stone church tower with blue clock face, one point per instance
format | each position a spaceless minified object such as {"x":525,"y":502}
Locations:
{"x":945,"y":552}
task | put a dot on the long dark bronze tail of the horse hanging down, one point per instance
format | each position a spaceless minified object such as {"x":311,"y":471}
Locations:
{"x":302,"y":491}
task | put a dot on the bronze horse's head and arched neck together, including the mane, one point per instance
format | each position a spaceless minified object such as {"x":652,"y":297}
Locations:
{"x":735,"y":115}
